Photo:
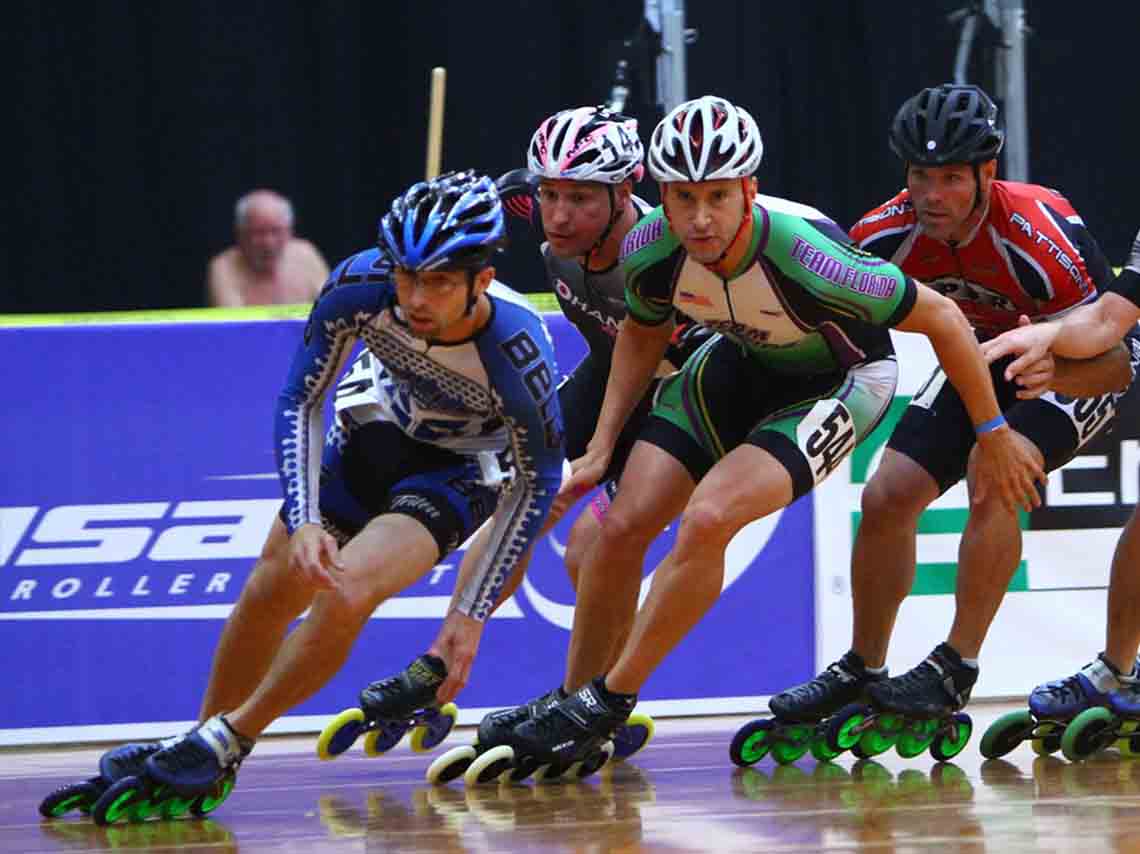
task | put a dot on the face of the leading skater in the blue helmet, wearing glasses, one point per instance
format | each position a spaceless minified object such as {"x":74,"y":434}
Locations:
{"x":435,"y":305}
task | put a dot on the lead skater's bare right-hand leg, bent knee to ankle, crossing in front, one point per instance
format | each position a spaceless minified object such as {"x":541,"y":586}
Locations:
{"x":388,"y":556}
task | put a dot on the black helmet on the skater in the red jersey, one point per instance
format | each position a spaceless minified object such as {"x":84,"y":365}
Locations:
{"x":947,"y":125}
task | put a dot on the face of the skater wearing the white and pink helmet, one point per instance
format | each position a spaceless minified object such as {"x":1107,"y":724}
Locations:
{"x":576,"y":214}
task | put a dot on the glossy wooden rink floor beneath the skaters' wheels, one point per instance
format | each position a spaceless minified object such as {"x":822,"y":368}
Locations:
{"x":680,"y":794}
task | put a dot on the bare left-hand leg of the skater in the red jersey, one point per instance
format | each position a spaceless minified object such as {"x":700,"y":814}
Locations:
{"x":884,"y":554}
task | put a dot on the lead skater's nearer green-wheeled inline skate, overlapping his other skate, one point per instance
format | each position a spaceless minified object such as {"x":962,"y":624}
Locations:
{"x":194,"y":776}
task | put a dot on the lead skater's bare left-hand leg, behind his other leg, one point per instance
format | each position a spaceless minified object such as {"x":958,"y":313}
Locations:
{"x":273,"y":597}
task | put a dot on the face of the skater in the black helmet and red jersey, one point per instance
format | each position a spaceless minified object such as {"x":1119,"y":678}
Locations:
{"x":944,"y":198}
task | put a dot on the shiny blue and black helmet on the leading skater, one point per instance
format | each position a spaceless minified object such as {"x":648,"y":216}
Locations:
{"x":454,"y":222}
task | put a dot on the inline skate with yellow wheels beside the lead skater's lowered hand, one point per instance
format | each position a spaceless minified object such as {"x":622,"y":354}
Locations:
{"x":392,"y":707}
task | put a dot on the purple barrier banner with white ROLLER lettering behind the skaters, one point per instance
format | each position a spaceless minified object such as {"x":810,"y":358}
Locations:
{"x":140,"y":484}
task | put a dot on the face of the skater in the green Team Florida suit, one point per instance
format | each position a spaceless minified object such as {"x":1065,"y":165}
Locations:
{"x":705,"y":215}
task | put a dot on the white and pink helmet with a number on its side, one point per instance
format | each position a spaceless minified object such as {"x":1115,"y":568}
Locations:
{"x":588,"y":144}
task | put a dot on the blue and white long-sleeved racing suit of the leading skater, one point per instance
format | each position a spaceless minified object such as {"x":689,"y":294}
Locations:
{"x":446,"y":434}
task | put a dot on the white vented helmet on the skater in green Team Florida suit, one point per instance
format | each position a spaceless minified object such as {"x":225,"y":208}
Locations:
{"x":705,"y":140}
